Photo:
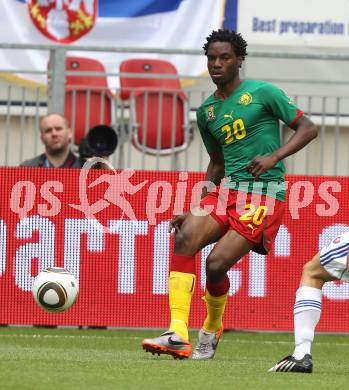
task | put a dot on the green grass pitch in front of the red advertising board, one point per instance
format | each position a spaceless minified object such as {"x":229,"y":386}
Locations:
{"x":41,"y":358}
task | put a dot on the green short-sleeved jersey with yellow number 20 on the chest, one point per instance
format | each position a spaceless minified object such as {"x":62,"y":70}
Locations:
{"x":244,"y":125}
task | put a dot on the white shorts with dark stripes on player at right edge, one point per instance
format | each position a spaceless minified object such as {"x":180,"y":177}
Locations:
{"x":334,"y":257}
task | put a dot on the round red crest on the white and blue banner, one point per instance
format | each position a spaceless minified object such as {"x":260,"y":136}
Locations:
{"x":63,"y":21}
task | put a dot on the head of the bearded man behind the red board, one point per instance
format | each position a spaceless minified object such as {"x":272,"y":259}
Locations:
{"x":55,"y":134}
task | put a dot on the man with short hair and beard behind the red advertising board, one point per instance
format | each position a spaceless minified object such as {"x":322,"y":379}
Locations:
{"x":56,"y":135}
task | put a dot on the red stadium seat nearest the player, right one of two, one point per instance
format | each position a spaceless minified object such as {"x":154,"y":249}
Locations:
{"x":159,"y":107}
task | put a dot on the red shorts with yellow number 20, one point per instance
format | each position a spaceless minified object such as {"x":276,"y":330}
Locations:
{"x":256,"y":217}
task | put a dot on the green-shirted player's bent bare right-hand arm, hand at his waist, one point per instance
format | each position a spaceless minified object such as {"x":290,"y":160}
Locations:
{"x":305,"y":131}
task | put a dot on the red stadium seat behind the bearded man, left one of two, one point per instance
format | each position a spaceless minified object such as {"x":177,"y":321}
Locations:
{"x":88,"y":100}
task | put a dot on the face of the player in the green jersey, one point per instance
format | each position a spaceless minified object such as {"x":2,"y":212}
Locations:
{"x":222,"y":63}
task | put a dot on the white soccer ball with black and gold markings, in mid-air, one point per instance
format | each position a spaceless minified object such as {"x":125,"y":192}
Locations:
{"x":55,"y":289}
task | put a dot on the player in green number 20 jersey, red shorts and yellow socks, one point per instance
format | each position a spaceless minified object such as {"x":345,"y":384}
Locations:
{"x":239,"y":125}
